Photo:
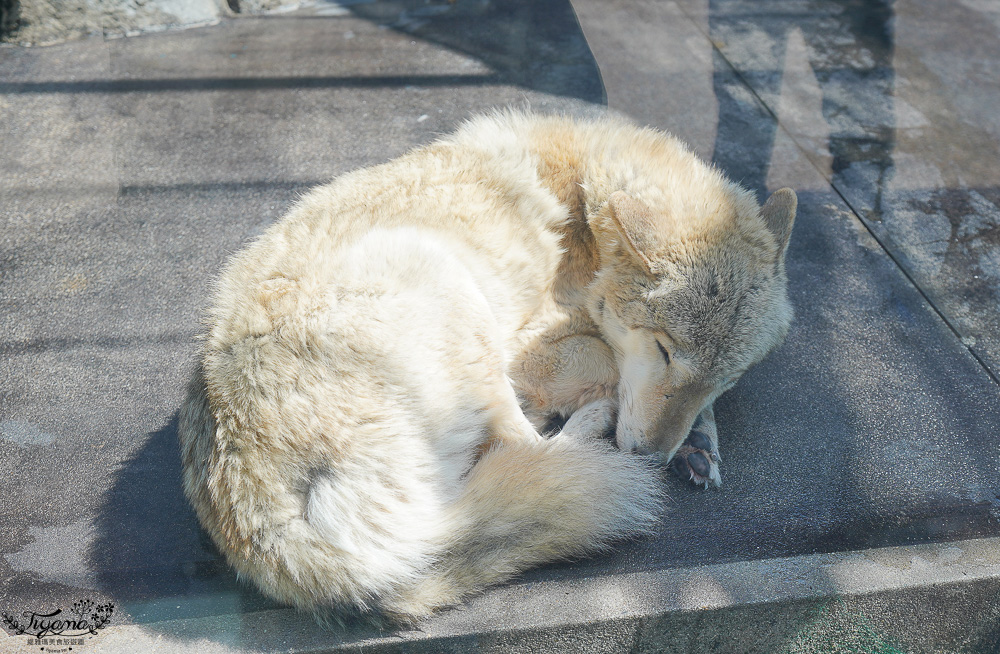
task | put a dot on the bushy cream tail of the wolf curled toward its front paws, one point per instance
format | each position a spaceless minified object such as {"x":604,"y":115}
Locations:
{"x":525,"y":504}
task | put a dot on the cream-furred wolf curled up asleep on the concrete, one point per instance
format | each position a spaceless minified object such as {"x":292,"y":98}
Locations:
{"x":362,"y":432}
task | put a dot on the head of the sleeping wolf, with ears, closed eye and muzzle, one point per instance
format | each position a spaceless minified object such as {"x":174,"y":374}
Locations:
{"x":689,"y":295}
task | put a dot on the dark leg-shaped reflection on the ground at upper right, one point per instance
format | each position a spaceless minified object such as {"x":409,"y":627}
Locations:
{"x":851,"y":47}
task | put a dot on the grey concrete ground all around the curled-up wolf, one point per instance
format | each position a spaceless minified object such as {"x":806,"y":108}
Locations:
{"x":860,"y":510}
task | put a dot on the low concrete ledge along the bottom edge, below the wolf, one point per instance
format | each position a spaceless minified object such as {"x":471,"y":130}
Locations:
{"x":781,"y":605}
